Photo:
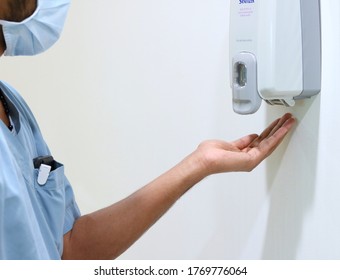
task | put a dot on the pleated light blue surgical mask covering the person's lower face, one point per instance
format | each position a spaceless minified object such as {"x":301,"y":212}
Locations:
{"x":38,"y":32}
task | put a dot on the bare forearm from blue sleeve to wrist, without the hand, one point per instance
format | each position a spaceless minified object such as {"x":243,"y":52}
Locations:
{"x":106,"y":233}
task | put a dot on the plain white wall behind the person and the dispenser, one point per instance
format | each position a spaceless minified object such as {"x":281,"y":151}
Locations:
{"x":134,"y":86}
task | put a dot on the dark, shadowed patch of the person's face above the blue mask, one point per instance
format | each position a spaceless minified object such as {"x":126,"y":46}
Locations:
{"x":18,"y":10}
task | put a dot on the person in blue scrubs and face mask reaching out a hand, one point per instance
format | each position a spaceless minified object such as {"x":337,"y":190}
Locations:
{"x":39,"y":218}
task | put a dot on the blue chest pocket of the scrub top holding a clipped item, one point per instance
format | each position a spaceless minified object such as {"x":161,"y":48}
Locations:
{"x":51,"y":198}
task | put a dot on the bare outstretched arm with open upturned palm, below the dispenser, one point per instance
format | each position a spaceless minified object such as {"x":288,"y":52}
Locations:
{"x":107,"y":233}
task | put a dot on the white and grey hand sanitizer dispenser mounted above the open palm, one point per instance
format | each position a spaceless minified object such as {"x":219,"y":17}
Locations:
{"x":275,"y":52}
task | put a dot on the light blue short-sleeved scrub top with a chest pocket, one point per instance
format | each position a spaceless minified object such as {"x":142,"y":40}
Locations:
{"x":33,"y":218}
